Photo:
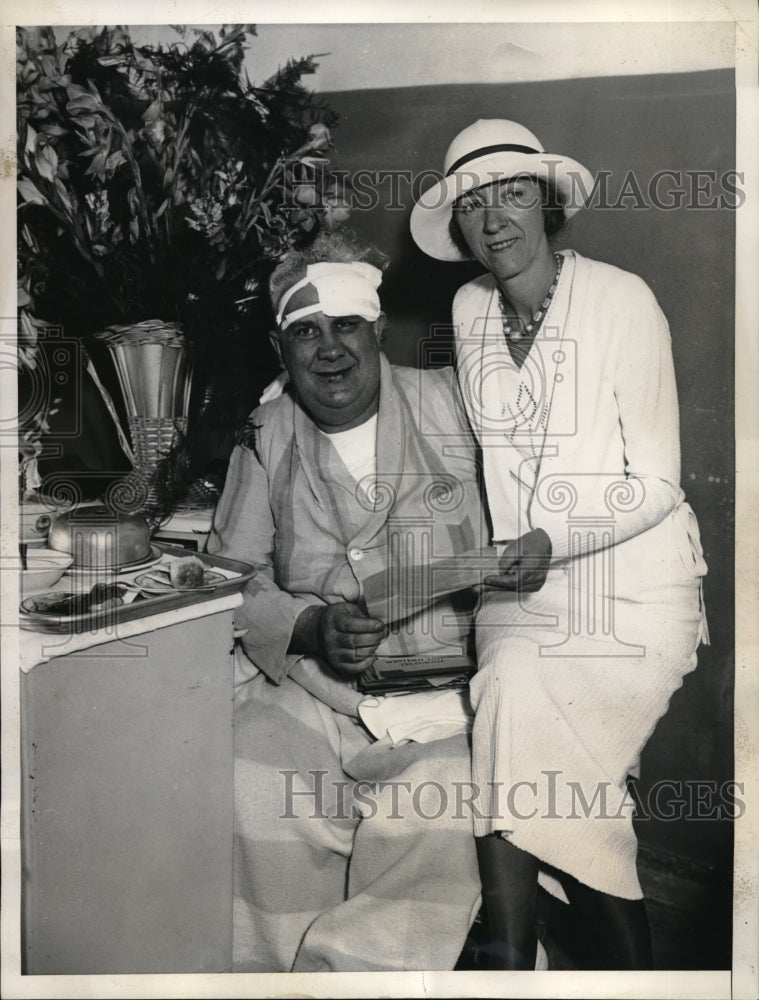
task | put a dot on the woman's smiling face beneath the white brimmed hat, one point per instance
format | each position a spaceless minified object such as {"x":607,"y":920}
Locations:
{"x":503,"y":225}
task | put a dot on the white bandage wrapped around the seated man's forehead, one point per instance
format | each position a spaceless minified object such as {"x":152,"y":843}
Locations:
{"x":342,"y":290}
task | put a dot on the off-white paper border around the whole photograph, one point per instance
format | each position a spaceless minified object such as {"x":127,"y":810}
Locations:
{"x":742,"y":981}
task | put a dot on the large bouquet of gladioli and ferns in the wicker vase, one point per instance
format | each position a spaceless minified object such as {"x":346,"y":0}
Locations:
{"x":157,"y":183}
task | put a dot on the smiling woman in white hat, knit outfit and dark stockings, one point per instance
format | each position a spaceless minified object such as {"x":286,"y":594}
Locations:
{"x":566,"y":371}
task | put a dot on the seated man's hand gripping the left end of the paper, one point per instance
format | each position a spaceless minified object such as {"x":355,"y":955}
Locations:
{"x":342,"y":633}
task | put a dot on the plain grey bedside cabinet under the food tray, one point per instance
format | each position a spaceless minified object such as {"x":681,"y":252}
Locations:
{"x":127,"y":809}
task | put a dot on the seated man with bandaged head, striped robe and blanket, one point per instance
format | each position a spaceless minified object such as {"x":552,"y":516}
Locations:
{"x":353,"y":851}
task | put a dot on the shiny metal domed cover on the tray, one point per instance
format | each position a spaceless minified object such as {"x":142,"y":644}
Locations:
{"x":98,"y":537}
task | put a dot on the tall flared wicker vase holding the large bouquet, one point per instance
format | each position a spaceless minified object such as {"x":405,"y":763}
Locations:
{"x":155,"y":374}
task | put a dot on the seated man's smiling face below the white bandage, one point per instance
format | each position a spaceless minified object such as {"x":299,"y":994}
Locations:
{"x":334,"y":365}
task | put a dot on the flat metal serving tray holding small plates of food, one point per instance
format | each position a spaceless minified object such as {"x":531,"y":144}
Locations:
{"x":149,"y":604}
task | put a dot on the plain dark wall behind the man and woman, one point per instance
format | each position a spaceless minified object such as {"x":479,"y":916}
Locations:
{"x":645,"y":124}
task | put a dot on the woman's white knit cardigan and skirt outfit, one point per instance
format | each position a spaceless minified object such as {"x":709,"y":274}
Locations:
{"x":583,"y":442}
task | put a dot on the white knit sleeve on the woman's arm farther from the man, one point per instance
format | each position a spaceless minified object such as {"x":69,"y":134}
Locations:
{"x":648,"y":418}
